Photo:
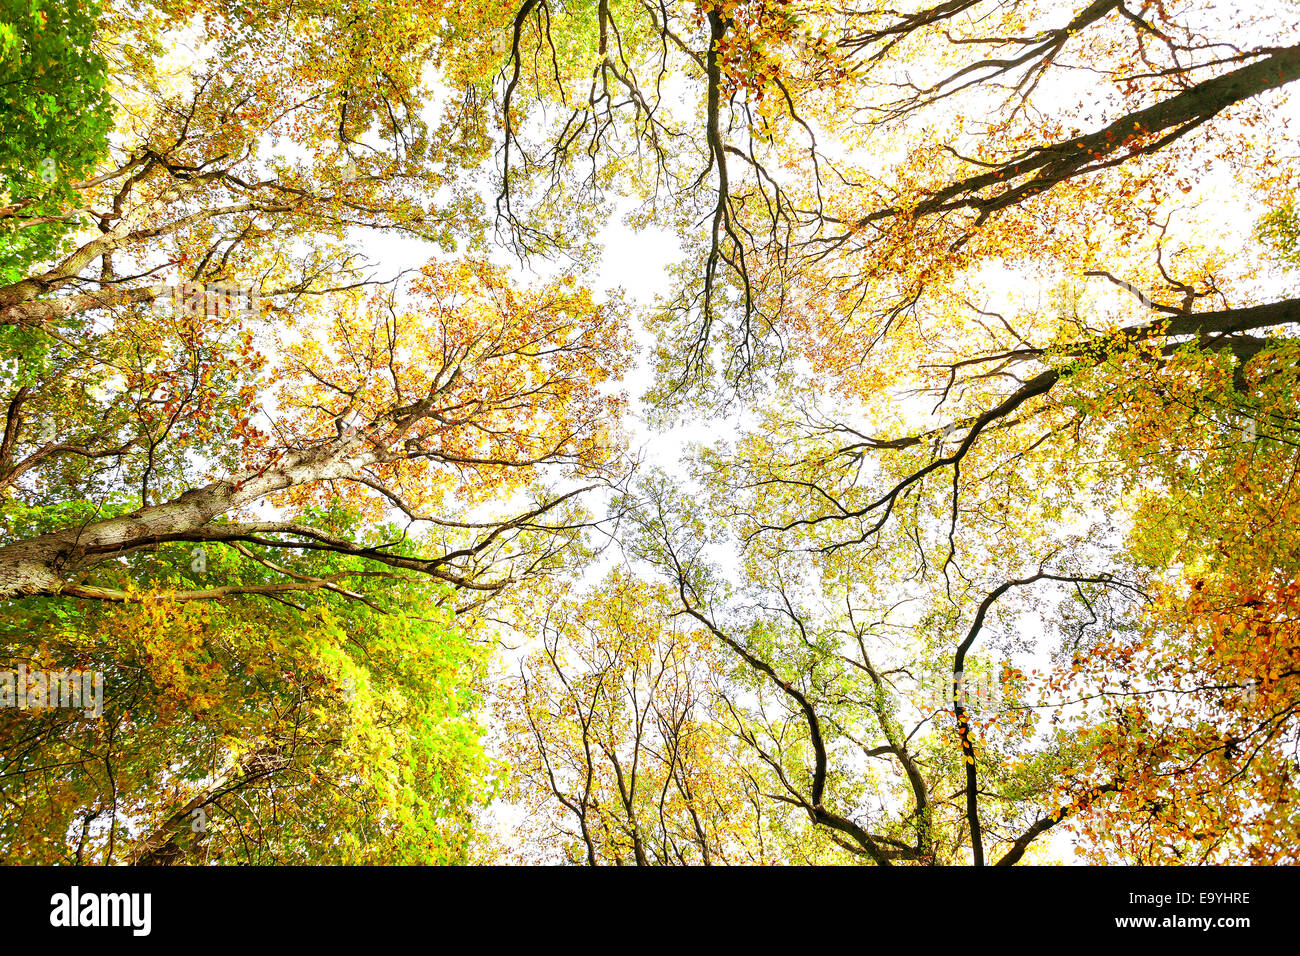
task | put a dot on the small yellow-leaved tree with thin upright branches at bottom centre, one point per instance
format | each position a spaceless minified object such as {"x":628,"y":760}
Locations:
{"x":623,"y":750}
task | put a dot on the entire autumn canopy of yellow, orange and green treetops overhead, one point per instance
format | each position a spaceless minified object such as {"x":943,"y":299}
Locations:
{"x":332,"y":447}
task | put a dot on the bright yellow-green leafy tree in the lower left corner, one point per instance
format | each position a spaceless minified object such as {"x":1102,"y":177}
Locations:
{"x":322,"y":732}
